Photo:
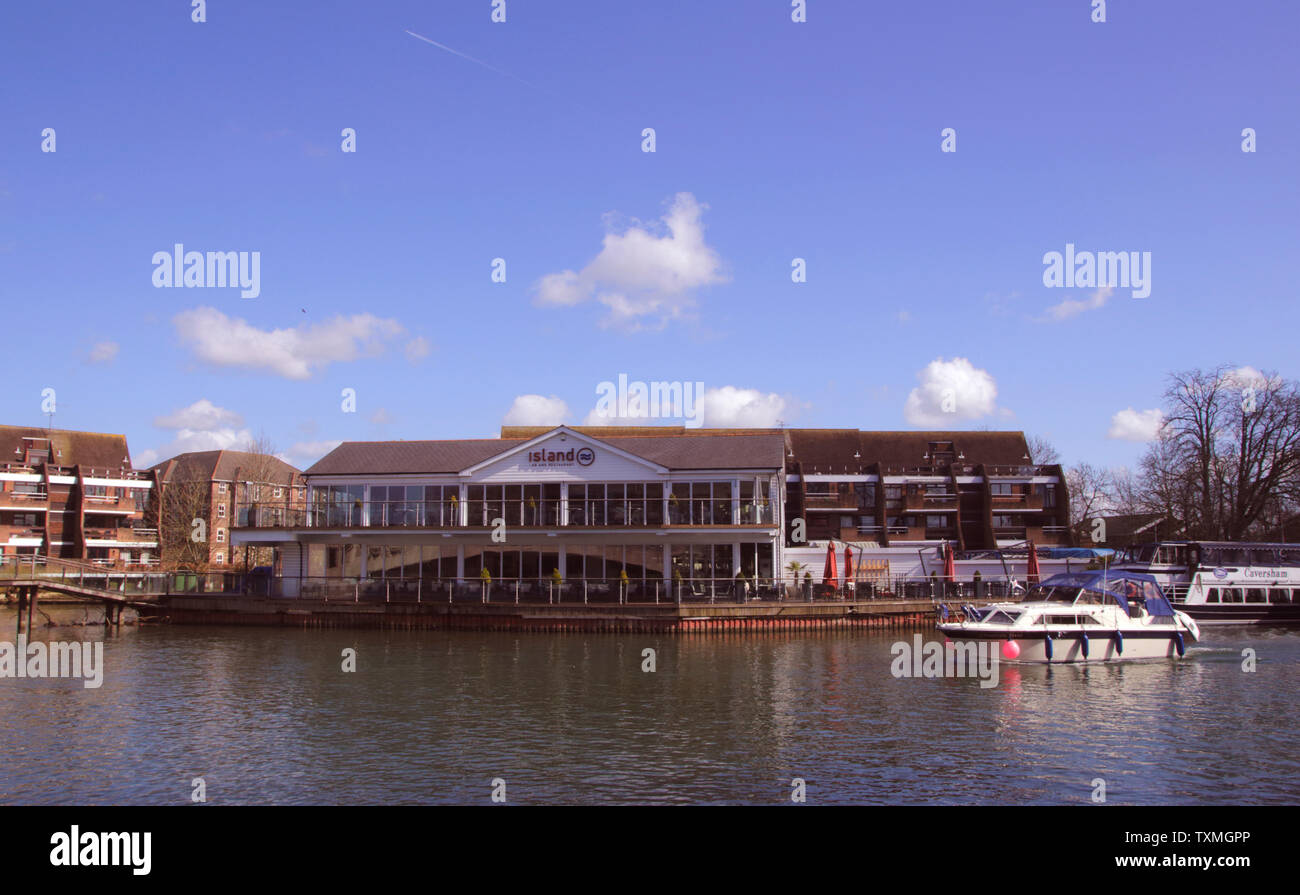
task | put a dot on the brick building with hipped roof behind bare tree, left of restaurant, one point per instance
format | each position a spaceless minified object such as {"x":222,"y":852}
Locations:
{"x":223,"y":488}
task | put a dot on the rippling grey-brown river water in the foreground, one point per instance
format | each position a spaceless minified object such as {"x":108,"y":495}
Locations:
{"x":267,"y":716}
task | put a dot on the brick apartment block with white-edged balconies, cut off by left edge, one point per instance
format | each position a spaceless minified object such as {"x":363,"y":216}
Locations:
{"x":75,"y":496}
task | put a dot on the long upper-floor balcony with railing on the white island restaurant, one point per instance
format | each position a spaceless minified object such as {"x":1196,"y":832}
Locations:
{"x":522,"y":513}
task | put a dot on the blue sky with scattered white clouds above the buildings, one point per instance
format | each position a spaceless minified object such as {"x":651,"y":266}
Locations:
{"x":774,"y":141}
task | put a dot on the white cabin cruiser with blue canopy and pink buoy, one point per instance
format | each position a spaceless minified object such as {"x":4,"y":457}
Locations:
{"x":1081,"y":617}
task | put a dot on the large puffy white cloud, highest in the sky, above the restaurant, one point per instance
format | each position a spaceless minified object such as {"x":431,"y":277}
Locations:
{"x":640,"y":275}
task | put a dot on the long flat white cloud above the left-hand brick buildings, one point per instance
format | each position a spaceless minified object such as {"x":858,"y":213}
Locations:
{"x":294,"y":353}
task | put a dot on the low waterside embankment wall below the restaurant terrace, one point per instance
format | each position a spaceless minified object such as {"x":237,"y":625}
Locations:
{"x":635,"y":619}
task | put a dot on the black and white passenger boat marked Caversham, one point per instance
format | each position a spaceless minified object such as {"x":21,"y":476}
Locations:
{"x":1221,"y":582}
